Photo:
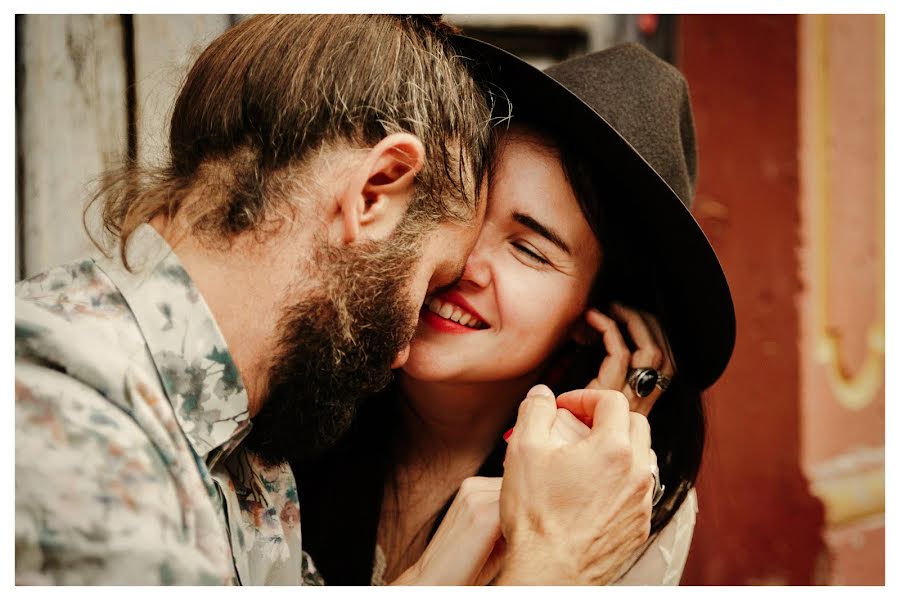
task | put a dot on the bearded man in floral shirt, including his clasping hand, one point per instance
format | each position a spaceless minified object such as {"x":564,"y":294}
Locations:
{"x":325,"y":174}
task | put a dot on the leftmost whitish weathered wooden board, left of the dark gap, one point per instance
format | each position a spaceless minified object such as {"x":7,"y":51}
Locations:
{"x":72,"y":126}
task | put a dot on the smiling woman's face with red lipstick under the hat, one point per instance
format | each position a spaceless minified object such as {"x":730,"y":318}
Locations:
{"x":526,"y":283}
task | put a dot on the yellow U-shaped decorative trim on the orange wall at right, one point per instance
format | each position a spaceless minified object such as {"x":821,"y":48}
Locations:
{"x":853,"y":392}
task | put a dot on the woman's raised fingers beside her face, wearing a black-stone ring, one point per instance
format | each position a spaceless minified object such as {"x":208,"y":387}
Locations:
{"x":652,"y":351}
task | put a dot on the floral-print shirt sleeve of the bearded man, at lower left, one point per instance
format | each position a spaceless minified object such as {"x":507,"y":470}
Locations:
{"x":95,"y":500}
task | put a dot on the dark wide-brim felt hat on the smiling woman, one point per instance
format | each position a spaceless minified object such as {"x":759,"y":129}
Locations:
{"x":630,"y":109}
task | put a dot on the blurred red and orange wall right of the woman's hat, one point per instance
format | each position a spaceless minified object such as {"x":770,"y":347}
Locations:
{"x":790,"y":121}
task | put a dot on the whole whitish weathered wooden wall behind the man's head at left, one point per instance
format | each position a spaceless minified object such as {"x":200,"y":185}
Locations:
{"x":85,"y":85}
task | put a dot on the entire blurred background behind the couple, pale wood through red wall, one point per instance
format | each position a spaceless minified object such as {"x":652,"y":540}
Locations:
{"x":789,"y":112}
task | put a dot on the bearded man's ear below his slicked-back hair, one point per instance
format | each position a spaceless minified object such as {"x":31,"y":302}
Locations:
{"x":381,"y":186}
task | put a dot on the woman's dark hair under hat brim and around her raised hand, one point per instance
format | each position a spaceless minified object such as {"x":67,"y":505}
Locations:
{"x":677,"y":420}
